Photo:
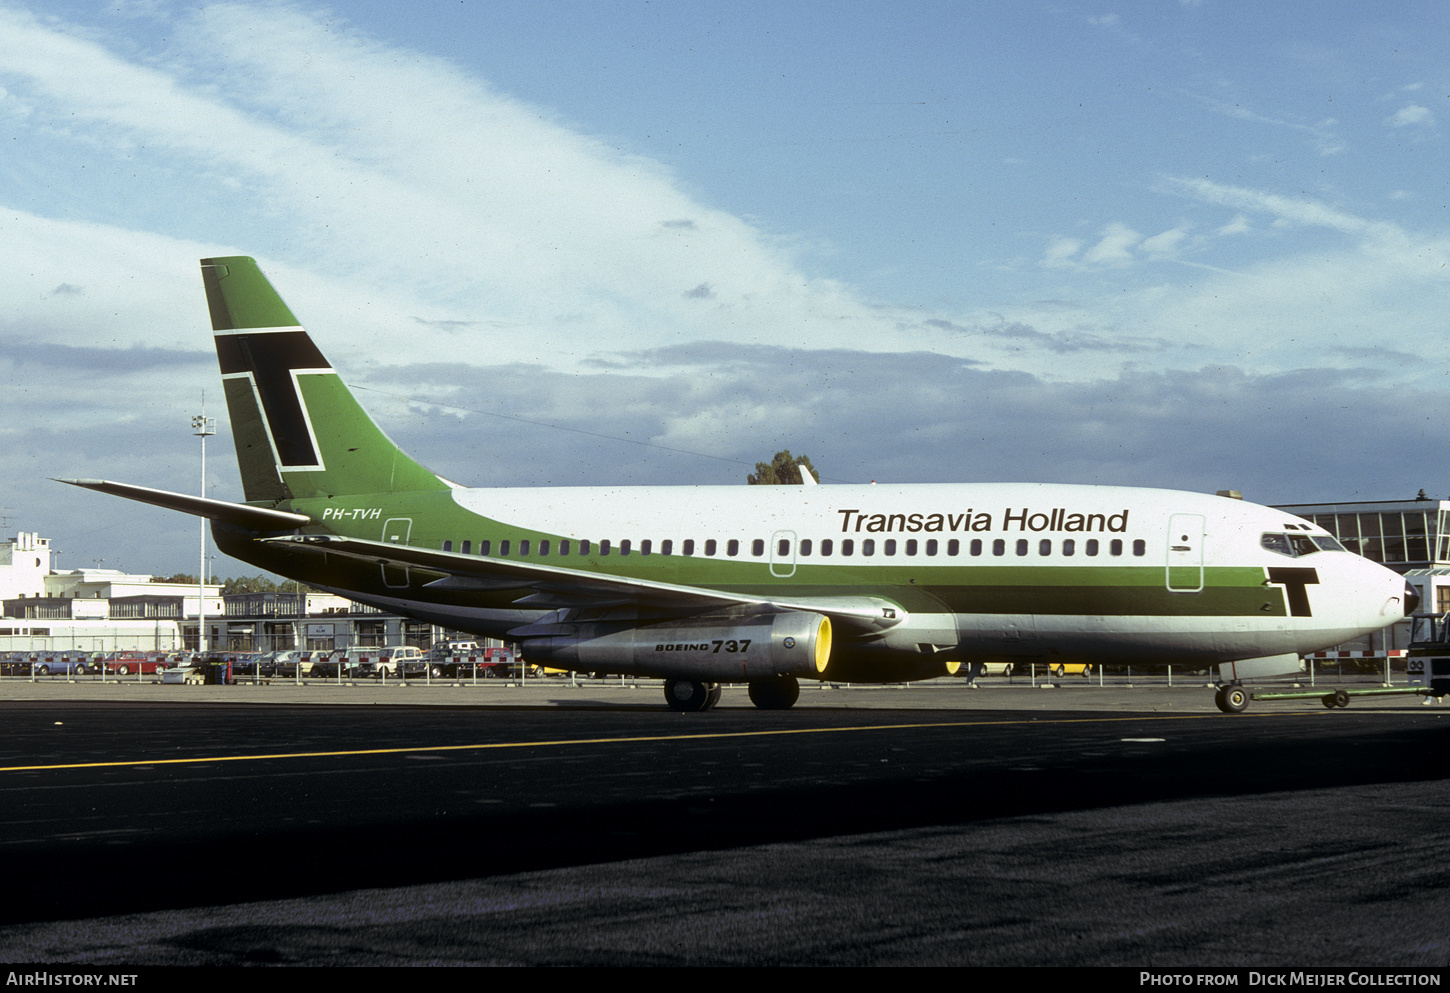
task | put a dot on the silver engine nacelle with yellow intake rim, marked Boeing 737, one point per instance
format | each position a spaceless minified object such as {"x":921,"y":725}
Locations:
{"x":710,"y":649}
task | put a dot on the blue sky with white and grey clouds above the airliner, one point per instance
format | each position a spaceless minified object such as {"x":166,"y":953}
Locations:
{"x":1194,"y":246}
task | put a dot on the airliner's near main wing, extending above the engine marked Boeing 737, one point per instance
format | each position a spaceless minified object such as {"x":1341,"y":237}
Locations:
{"x":553,"y":586}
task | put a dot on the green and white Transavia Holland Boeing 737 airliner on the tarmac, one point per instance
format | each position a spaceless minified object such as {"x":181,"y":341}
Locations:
{"x":759,"y":585}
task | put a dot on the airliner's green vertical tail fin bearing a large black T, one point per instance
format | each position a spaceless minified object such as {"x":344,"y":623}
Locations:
{"x":298,"y":430}
